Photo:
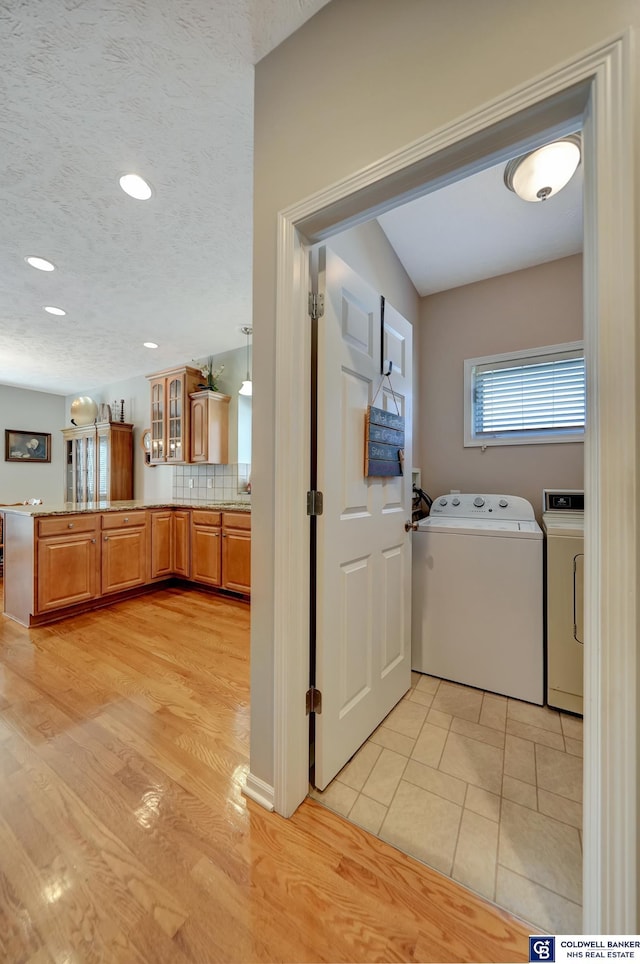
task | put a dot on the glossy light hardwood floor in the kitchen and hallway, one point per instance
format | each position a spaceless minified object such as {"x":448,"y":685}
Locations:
{"x":124,"y":834}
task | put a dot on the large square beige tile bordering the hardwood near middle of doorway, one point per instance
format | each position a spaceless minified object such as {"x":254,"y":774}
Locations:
{"x":424,"y":825}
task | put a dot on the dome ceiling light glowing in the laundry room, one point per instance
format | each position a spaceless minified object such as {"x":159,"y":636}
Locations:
{"x":542,"y":173}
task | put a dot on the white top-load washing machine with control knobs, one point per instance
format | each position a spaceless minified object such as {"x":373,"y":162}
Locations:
{"x":477,"y":595}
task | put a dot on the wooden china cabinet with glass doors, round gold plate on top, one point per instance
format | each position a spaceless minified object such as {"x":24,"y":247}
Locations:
{"x":98,"y":462}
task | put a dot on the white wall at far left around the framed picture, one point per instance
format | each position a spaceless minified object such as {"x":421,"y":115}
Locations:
{"x":24,"y":410}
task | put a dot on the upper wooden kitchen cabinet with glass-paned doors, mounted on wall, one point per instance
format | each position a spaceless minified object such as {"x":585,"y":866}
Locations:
{"x":171,"y":414}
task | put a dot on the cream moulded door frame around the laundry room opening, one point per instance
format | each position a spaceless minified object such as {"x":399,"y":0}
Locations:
{"x":596,"y":88}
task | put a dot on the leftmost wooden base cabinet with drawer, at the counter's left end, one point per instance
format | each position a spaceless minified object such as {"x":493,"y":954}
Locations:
{"x":66,"y":561}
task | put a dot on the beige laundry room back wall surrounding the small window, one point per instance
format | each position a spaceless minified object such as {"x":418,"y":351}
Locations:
{"x":526,"y":309}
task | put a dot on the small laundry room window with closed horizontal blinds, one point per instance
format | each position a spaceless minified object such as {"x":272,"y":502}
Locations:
{"x":529,"y":396}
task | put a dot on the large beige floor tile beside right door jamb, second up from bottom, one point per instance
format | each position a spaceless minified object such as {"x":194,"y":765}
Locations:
{"x":542,"y":849}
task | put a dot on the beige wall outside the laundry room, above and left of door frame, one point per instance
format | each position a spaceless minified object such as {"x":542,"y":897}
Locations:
{"x":361,"y":79}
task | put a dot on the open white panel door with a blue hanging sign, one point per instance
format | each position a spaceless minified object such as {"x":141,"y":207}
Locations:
{"x":363,"y":628}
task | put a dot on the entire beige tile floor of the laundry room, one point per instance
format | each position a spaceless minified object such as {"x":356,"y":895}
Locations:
{"x":484,"y":789}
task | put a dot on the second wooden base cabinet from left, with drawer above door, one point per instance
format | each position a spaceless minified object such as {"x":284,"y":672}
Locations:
{"x":125,"y":557}
